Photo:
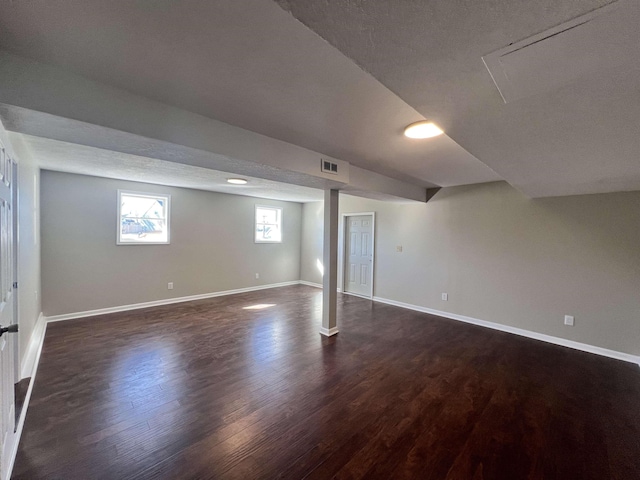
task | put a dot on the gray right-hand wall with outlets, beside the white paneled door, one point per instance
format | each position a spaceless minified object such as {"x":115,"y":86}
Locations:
{"x":508,"y":259}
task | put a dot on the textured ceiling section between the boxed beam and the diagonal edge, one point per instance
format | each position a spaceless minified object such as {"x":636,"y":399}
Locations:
{"x":247,"y":63}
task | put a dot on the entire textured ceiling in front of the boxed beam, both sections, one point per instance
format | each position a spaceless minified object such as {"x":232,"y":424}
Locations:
{"x":253,"y":64}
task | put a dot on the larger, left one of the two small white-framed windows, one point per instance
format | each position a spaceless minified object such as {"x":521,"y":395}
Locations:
{"x":143,"y":218}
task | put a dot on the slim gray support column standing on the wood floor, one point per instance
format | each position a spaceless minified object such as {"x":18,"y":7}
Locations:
{"x":330,"y":261}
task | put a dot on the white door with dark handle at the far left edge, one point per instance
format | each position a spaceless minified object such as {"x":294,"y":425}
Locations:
{"x":7,"y":311}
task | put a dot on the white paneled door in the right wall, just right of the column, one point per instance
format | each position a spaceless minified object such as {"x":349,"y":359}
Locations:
{"x":358,"y":268}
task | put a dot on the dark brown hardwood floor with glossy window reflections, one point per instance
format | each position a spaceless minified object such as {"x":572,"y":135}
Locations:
{"x":209,"y":389}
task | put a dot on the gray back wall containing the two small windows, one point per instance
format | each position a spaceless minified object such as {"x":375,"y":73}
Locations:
{"x":211,"y":248}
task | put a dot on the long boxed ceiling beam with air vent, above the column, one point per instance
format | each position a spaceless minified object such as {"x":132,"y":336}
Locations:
{"x":50,"y":102}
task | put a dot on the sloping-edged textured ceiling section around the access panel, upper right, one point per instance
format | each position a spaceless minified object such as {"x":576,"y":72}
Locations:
{"x":580,"y":138}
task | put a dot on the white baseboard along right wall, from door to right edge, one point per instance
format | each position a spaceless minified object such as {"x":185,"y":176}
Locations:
{"x":518,"y":331}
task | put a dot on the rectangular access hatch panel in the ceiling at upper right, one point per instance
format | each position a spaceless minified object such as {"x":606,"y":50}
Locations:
{"x":603,"y":40}
